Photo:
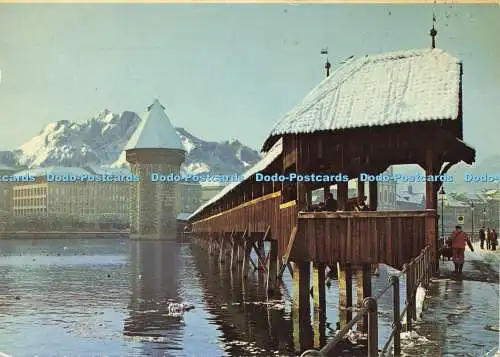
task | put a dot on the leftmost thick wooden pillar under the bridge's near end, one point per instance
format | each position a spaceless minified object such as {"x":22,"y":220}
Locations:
{"x":301,"y":311}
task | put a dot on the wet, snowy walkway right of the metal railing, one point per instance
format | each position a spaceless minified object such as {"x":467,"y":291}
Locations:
{"x":461,"y":314}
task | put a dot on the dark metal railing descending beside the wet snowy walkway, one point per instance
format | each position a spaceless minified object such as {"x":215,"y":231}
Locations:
{"x":418,"y":272}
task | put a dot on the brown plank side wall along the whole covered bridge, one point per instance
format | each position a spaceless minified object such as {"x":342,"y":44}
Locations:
{"x":390,"y":237}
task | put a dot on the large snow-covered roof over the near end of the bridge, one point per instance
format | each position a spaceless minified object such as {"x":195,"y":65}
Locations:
{"x":376,"y":90}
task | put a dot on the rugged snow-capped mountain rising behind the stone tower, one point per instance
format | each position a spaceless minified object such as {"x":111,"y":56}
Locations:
{"x":101,"y":139}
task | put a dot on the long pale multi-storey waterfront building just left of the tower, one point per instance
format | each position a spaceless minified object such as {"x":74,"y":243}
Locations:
{"x":84,"y":202}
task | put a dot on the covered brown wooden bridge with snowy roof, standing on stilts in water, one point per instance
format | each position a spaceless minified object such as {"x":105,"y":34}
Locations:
{"x":373,"y":112}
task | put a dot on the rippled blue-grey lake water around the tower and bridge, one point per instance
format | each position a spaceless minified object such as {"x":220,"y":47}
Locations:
{"x":109,"y":298}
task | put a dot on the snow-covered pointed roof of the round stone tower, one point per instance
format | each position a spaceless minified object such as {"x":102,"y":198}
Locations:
{"x":155,"y":131}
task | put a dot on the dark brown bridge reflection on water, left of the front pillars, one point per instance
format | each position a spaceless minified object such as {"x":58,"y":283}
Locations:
{"x":248,"y":324}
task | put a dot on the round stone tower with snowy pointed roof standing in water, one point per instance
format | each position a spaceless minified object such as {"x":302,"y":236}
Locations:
{"x":155,"y":147}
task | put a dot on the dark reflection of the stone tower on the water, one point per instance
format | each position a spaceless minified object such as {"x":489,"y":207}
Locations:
{"x":154,"y":274}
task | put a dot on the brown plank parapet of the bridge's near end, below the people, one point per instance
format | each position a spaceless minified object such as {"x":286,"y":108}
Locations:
{"x":390,"y":237}
